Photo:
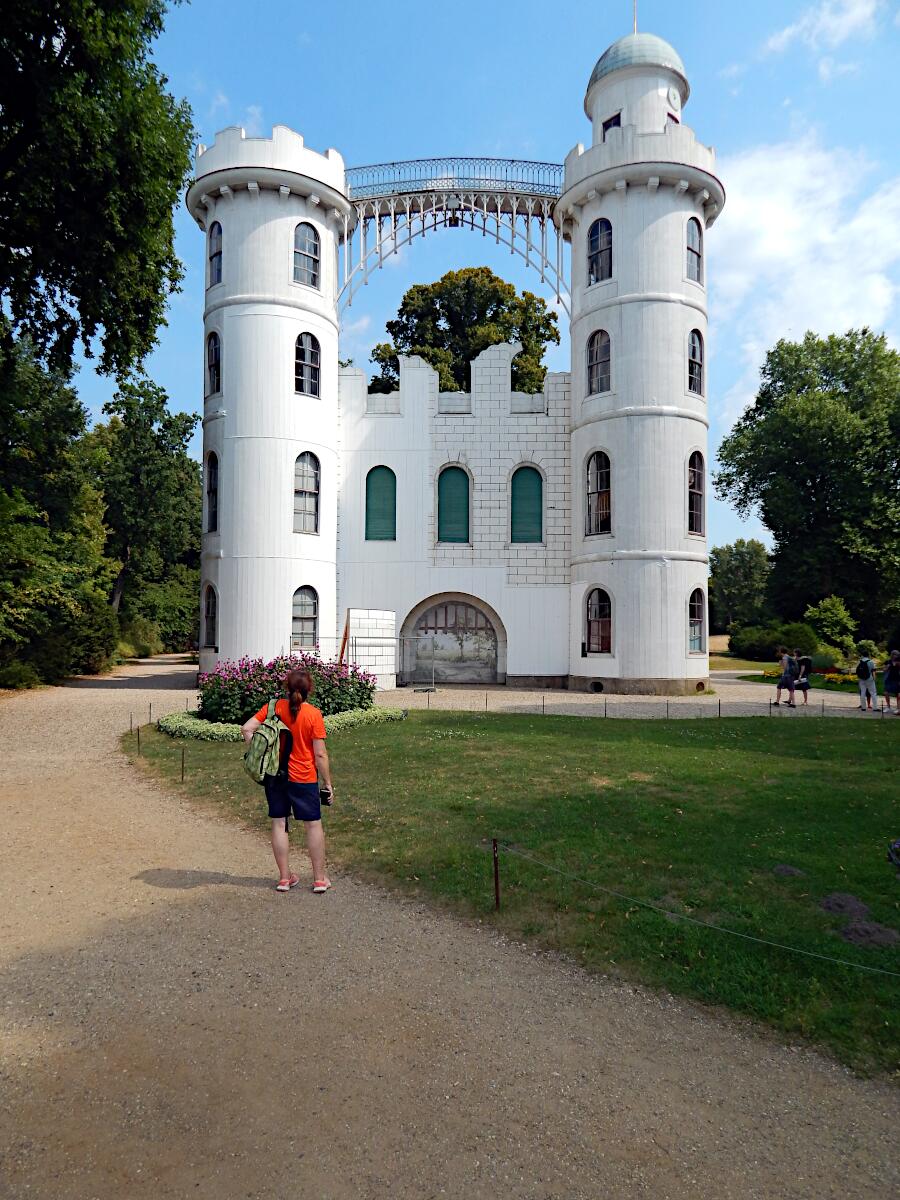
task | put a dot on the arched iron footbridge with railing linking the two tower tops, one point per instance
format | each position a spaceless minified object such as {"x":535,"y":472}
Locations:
{"x":508,"y":200}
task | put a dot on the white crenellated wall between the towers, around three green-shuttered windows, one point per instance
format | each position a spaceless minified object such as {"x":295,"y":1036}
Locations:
{"x":490,"y":433}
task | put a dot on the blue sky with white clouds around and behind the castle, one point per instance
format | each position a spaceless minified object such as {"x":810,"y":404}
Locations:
{"x":797,"y":99}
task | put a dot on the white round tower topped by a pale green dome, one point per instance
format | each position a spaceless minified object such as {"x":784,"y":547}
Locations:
{"x":637,"y":207}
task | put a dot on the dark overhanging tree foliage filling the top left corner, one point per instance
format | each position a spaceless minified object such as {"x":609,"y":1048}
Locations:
{"x":94,"y":154}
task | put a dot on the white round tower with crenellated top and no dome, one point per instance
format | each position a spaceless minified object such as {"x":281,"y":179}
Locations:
{"x":273,"y":213}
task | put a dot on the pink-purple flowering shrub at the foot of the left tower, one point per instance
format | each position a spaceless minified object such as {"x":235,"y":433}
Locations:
{"x":236,"y":691}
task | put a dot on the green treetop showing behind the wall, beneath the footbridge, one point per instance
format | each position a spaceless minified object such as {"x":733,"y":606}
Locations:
{"x":451,"y":322}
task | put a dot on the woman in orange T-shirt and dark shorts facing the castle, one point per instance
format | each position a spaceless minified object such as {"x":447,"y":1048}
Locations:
{"x":295,"y":789}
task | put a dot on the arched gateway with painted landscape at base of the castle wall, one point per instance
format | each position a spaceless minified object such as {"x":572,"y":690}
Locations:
{"x":465,"y":635}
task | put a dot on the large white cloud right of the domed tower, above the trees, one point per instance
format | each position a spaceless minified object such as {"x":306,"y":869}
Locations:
{"x":802,"y":244}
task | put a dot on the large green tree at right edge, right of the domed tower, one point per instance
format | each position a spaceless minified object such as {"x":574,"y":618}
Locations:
{"x":818,"y":455}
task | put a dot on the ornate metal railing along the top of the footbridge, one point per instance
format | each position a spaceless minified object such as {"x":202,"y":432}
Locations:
{"x":495,"y":176}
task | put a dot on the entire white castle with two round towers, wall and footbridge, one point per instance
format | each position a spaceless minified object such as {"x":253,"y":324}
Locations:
{"x":554,"y":539}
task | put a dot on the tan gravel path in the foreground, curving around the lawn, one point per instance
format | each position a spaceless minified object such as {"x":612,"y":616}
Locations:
{"x":172,"y":1028}
